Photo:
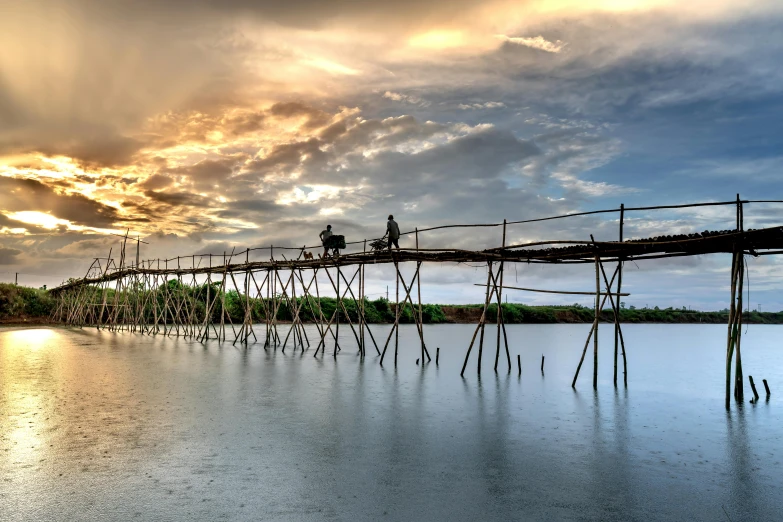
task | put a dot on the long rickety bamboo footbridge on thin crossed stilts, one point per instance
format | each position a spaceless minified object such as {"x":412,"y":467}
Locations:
{"x":194,"y":296}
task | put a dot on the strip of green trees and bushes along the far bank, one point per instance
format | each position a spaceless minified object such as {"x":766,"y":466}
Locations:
{"x":20,"y":304}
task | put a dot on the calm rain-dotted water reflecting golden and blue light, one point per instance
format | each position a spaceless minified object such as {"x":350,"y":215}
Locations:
{"x":105,"y":426}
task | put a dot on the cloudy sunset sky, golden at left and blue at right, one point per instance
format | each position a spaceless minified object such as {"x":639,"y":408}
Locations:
{"x":207,"y":126}
